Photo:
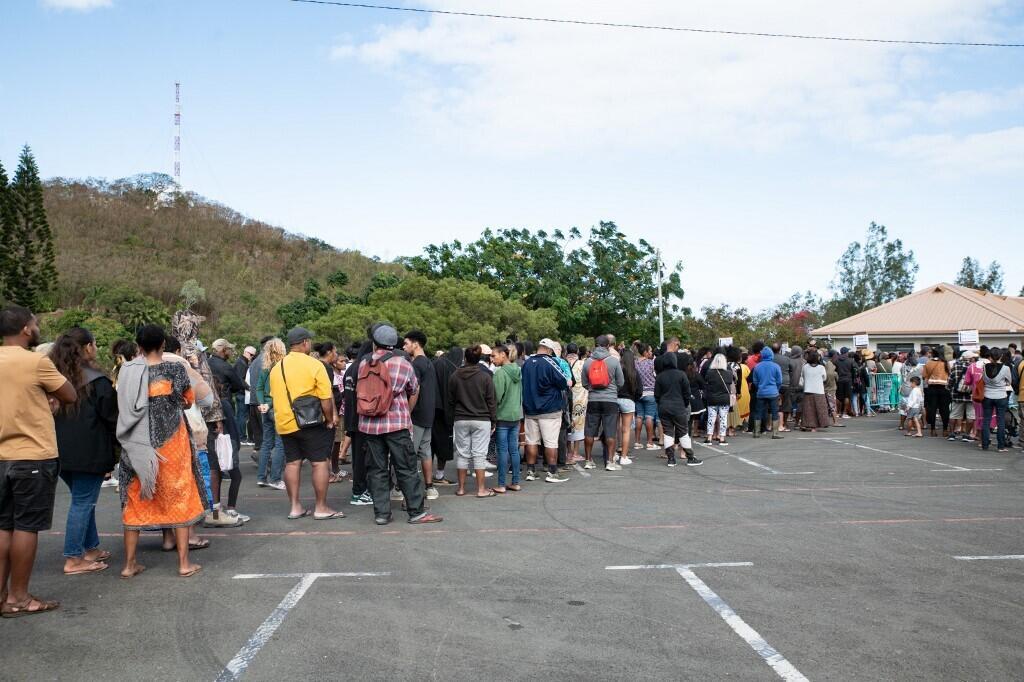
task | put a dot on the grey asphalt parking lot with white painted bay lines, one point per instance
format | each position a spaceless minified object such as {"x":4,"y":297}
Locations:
{"x":822,"y":557}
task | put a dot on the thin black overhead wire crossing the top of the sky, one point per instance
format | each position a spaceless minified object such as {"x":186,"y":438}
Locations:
{"x":648,"y":27}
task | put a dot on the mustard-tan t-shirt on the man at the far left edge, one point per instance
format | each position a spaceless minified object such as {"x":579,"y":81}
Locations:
{"x":27,"y":431}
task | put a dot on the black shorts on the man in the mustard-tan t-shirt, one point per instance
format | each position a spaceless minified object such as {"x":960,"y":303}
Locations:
{"x":27,"y":492}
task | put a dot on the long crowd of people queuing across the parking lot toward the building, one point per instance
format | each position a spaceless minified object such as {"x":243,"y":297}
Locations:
{"x":168,"y":425}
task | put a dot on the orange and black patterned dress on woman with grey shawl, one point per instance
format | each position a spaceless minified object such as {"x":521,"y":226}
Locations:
{"x":180,"y":499}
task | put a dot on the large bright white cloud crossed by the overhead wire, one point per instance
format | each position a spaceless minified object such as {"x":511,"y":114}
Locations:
{"x":524,"y":89}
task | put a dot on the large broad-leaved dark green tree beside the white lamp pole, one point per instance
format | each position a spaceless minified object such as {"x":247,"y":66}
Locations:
{"x":607,"y":285}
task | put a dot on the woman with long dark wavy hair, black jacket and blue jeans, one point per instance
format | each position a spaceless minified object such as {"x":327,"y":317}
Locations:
{"x":86,"y":445}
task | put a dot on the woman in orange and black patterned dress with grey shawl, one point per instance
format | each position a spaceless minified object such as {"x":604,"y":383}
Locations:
{"x":161,"y":484}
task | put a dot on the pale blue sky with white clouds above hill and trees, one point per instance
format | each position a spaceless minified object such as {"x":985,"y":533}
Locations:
{"x":753,"y":161}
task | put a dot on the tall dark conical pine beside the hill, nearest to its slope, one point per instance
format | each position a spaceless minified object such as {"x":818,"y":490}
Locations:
{"x":32,"y":276}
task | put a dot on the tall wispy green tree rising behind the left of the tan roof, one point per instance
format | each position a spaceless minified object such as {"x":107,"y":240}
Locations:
{"x":871,"y":274}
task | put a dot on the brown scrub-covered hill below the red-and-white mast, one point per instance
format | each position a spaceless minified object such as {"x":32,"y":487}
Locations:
{"x":135,"y":235}
